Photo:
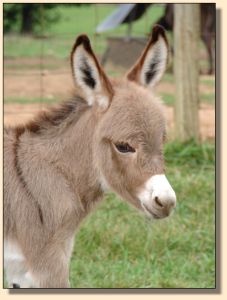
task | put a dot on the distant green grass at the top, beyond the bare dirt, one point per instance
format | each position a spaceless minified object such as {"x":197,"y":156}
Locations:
{"x":74,"y":21}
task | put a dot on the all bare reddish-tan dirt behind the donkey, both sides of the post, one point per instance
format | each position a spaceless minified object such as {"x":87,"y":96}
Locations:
{"x":57,"y":83}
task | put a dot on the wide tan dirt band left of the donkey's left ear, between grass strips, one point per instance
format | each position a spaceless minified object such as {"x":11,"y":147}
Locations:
{"x":52,"y":79}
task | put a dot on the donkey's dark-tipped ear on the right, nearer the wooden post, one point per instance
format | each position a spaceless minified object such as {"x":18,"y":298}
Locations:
{"x":151,"y":65}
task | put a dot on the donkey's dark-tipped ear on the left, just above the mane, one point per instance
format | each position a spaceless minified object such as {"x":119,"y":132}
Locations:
{"x":89,"y":75}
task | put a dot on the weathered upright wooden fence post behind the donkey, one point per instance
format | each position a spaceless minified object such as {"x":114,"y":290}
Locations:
{"x":186,"y":70}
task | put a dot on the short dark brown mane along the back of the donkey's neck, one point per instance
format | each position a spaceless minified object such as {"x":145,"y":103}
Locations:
{"x":55,"y":118}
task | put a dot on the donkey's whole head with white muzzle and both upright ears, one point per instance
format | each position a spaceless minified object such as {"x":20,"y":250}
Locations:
{"x":130,"y":131}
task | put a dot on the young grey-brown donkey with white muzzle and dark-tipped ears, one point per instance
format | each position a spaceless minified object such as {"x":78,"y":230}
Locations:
{"x":58,"y":166}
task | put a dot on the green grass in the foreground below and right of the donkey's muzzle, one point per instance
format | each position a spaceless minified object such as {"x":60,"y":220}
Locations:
{"x":117,"y":247}
